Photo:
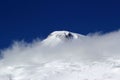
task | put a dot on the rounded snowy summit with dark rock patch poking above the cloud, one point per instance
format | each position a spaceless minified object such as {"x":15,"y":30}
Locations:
{"x":57,"y":37}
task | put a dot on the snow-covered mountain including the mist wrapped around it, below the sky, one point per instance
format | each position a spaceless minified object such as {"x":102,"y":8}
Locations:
{"x":80,"y":57}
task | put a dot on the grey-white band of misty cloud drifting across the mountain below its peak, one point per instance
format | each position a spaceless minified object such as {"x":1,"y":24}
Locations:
{"x":91,"y":48}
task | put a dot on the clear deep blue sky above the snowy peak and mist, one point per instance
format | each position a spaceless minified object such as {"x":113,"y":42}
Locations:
{"x":28,"y":19}
